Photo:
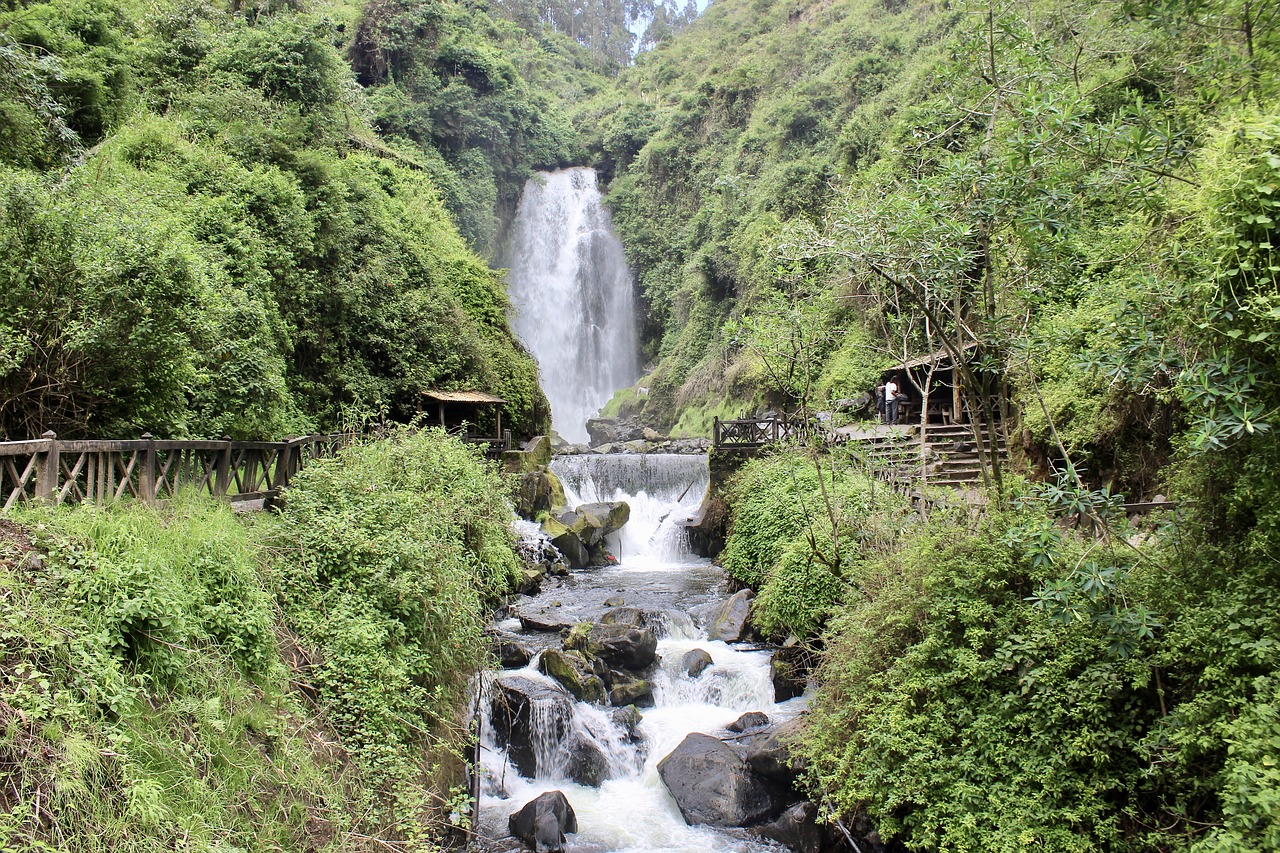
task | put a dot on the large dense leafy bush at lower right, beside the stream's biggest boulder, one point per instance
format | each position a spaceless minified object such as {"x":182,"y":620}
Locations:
{"x":962,"y":718}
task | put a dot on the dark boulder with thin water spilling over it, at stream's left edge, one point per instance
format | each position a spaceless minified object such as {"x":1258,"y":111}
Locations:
{"x":518,"y":701}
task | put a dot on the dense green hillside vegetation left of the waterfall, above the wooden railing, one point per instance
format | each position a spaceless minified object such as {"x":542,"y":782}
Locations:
{"x":203,"y":236}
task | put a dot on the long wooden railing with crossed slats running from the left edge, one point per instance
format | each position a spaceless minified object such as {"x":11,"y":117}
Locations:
{"x":150,"y":469}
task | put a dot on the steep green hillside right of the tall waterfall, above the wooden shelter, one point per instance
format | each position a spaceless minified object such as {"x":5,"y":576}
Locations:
{"x":783,"y":158}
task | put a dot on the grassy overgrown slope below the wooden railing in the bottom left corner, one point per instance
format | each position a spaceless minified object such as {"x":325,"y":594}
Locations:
{"x":143,"y":700}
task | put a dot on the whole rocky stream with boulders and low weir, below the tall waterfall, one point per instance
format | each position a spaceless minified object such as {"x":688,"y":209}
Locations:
{"x":636,"y":714}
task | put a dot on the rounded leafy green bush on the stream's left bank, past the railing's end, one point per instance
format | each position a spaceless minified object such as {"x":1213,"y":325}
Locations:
{"x":387,"y":558}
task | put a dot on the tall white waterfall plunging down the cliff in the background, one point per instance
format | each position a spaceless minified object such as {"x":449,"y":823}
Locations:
{"x":572,"y":297}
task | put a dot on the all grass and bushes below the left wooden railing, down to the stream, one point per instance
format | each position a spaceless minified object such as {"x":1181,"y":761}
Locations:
{"x":184,"y":679}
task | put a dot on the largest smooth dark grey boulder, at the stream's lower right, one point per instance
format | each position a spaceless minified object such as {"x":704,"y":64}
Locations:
{"x":714,"y":784}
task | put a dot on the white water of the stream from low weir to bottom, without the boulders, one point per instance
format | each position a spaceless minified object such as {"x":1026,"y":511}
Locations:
{"x":632,"y":811}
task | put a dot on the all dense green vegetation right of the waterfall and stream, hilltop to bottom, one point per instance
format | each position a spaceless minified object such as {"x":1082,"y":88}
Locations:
{"x":1082,"y":198}
